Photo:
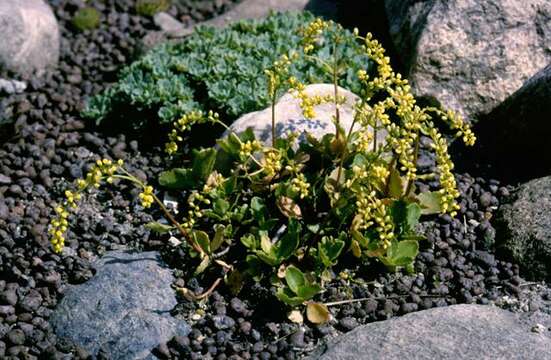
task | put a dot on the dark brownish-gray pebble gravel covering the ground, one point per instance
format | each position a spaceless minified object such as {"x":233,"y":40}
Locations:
{"x":52,"y":146}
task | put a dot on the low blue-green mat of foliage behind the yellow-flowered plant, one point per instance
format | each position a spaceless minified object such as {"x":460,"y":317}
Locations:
{"x":219,"y":69}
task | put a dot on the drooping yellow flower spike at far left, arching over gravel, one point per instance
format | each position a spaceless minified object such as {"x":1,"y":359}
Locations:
{"x":102,"y":169}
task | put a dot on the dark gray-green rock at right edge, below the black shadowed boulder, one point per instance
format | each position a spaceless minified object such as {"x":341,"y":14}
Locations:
{"x":523,"y":228}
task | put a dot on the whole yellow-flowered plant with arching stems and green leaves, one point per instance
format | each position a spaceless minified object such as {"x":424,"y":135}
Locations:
{"x":288,"y":211}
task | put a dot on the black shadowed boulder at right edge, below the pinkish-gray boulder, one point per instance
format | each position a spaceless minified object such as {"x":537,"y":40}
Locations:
{"x":512,"y":134}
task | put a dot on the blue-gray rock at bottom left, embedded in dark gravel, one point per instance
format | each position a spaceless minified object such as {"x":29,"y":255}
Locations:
{"x":124,"y":310}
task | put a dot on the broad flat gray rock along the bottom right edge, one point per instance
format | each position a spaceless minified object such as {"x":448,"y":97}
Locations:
{"x":455,"y":332}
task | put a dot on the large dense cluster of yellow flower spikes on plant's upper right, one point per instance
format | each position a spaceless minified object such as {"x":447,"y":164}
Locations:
{"x":404,"y":139}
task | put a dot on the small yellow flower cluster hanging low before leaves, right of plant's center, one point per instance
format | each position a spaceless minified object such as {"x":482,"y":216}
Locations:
{"x":373,"y":212}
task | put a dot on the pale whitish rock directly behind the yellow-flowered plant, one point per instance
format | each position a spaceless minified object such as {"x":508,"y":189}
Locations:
{"x":289,"y":116}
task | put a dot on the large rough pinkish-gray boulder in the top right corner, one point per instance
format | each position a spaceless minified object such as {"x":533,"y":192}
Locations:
{"x":470,"y":55}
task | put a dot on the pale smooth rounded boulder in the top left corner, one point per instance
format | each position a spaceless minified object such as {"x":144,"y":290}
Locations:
{"x":30,"y":36}
